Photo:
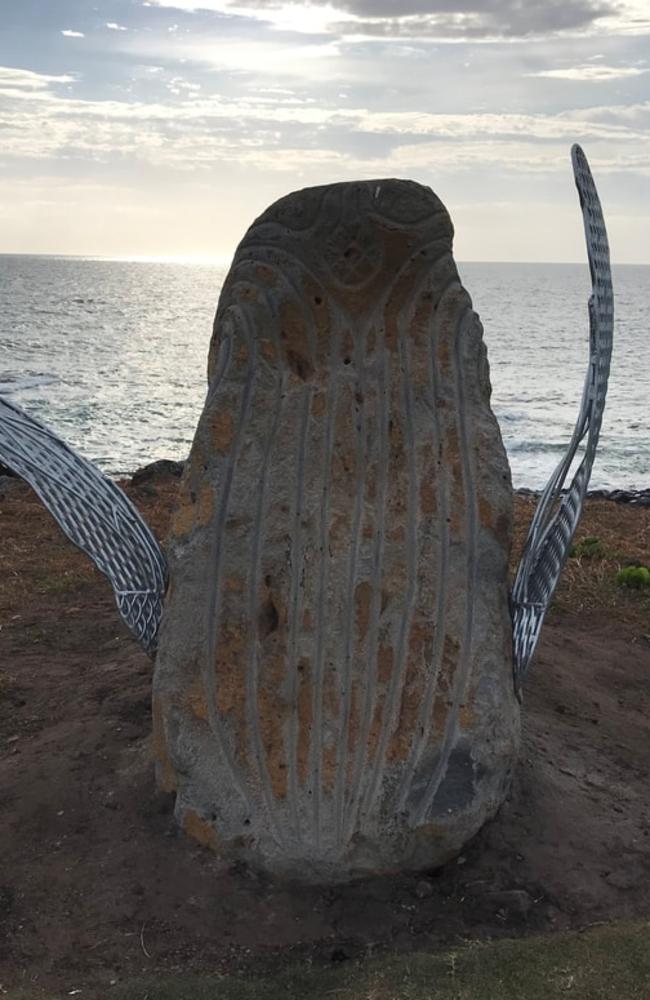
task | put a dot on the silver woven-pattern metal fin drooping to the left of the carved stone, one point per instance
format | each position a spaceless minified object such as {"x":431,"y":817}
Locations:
{"x":94,"y":513}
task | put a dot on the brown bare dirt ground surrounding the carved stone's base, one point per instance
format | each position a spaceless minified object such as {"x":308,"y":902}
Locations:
{"x":96,"y":882}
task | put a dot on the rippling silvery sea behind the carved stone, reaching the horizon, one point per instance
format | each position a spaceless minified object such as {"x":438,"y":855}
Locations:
{"x":112,"y":355}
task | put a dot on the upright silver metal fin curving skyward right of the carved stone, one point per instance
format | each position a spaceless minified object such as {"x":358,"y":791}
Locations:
{"x":558,"y":512}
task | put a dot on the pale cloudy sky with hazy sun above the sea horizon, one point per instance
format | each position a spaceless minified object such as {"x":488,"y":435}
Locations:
{"x":163,"y":128}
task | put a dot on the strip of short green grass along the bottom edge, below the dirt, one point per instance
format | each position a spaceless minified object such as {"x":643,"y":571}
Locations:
{"x":605,"y":963}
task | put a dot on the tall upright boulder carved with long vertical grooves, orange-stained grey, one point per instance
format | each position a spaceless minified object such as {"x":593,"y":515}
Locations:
{"x":333,"y":690}
